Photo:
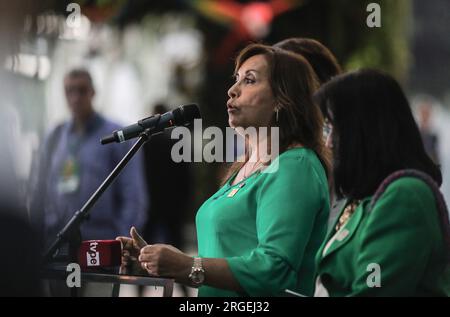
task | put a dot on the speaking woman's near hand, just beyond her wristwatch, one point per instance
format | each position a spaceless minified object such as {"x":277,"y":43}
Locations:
{"x":164,"y":260}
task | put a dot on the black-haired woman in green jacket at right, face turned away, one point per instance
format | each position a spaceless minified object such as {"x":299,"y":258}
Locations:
{"x":393,"y":239}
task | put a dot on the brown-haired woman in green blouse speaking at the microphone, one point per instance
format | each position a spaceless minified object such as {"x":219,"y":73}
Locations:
{"x":258,"y":235}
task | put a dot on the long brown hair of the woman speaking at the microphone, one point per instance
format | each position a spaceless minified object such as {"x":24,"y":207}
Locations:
{"x":293,"y":83}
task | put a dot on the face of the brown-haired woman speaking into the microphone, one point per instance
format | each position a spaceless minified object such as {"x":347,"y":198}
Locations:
{"x":251,"y":102}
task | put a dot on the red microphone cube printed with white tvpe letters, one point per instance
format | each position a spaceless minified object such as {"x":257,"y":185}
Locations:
{"x":100,"y":254}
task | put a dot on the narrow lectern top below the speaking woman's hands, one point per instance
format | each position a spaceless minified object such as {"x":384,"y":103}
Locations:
{"x":115,"y":279}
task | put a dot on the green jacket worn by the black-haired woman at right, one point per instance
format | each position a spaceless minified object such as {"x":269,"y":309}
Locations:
{"x":397,"y":246}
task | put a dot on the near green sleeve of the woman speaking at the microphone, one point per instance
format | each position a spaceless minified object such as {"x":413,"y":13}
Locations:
{"x":289,"y":203}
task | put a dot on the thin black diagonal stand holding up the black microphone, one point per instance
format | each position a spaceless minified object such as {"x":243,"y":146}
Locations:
{"x":71,"y":231}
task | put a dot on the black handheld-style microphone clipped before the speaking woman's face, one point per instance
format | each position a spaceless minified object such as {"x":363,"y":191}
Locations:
{"x":182,"y":115}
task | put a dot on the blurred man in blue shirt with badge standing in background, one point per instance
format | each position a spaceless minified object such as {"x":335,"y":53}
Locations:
{"x":72,"y":164}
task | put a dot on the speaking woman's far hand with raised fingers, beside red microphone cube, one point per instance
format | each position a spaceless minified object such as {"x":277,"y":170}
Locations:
{"x":131,"y":248}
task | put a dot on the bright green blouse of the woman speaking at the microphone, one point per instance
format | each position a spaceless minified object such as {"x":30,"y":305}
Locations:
{"x":269,"y":226}
